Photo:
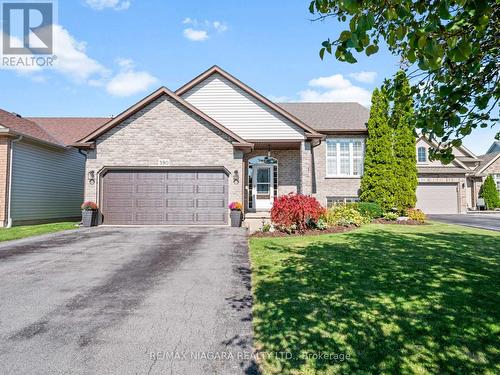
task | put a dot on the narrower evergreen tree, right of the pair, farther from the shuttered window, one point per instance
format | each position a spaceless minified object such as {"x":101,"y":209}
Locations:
{"x":404,"y":145}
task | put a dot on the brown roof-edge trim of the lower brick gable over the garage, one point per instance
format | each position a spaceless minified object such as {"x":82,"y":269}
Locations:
{"x":84,"y":142}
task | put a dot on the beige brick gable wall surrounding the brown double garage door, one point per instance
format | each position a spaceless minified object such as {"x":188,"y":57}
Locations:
{"x":165,"y":130}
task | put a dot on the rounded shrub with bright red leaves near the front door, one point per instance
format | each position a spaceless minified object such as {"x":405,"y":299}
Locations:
{"x":295,"y":212}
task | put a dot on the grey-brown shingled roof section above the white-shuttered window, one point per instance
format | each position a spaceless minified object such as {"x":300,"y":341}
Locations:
{"x":330,"y":116}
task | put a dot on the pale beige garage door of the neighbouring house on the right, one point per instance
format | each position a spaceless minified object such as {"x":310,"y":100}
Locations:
{"x":437,"y":198}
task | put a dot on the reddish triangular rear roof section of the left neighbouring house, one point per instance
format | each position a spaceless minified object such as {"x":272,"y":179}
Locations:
{"x":68,"y":130}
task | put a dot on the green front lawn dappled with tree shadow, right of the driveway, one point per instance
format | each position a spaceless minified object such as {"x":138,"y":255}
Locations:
{"x":395,"y":298}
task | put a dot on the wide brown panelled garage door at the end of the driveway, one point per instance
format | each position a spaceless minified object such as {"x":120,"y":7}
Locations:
{"x":164,"y":197}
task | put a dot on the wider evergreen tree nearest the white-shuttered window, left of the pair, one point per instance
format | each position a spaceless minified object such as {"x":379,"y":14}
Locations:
{"x":378,"y":181}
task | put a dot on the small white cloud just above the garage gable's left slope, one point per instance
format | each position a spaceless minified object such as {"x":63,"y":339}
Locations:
{"x":129,"y":81}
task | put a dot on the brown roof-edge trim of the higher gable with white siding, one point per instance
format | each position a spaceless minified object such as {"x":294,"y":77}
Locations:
{"x":310,"y":132}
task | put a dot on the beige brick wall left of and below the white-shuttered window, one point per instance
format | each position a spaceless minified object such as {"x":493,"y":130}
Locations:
{"x":322,"y":186}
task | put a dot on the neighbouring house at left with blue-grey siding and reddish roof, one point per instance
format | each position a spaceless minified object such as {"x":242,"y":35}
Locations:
{"x":41,"y":177}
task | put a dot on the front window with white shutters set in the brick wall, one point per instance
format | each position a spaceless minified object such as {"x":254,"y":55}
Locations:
{"x":344,"y":157}
